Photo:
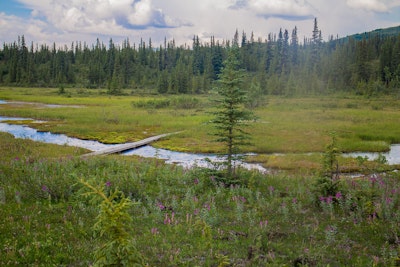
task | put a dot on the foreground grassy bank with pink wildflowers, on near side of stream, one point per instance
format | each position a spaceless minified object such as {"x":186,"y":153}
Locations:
{"x":190,"y":218}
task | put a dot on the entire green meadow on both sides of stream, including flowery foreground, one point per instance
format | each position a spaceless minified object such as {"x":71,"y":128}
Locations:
{"x":51,"y":214}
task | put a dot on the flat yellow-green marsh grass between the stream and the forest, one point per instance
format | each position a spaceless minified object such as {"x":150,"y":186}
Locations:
{"x":285,"y":125}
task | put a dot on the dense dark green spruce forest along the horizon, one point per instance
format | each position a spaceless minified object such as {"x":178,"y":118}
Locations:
{"x":280,"y":64}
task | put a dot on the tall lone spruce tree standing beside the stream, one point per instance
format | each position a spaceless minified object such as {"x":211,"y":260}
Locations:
{"x":231,"y":115}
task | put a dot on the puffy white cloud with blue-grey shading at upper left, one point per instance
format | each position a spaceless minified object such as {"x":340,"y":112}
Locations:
{"x":100,"y":16}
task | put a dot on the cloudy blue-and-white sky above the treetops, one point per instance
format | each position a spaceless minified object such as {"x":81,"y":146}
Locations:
{"x":66,"y":21}
